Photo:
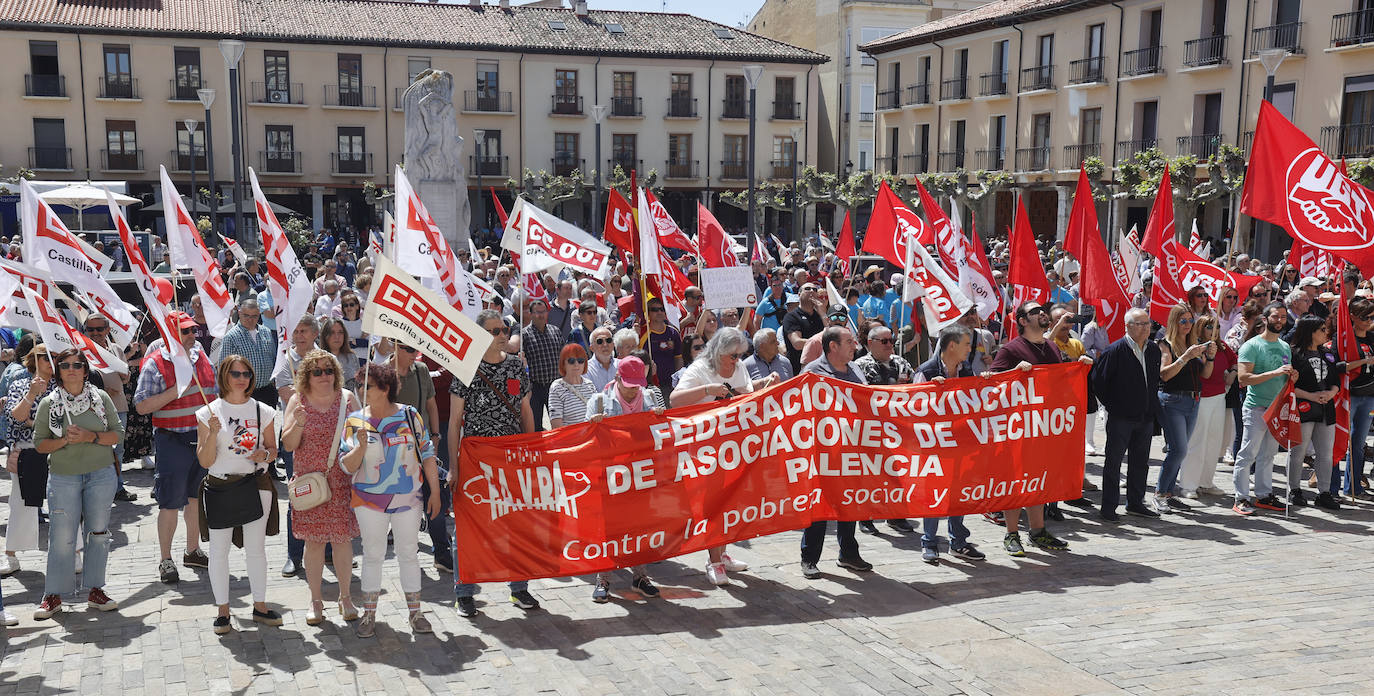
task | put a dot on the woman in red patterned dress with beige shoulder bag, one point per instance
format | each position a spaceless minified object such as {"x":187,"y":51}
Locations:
{"x":321,"y":492}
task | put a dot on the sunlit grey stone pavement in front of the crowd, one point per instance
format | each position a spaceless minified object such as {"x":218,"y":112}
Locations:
{"x":1200,"y":602}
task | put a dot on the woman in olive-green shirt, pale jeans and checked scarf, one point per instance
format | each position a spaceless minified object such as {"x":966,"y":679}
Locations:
{"x":78,"y":428}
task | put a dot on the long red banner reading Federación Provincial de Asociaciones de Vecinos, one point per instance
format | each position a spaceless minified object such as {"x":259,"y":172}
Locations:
{"x":644,"y":488}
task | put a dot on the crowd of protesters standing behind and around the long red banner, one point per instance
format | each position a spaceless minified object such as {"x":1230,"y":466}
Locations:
{"x":379,"y":426}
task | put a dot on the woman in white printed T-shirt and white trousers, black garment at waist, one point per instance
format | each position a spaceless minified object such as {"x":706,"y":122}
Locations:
{"x":236,"y":441}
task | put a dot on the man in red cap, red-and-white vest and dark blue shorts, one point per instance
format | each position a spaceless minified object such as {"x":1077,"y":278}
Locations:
{"x":178,"y":473}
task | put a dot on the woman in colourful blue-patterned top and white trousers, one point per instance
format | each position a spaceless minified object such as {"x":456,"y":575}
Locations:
{"x":390,"y":454}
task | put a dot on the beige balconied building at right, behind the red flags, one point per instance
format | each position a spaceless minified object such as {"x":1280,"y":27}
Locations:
{"x":1034,"y":87}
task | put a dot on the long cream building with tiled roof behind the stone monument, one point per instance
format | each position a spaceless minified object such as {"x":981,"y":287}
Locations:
{"x":105,"y":93}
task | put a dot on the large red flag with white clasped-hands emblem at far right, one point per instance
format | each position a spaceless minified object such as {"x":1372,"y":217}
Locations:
{"x":1292,"y":185}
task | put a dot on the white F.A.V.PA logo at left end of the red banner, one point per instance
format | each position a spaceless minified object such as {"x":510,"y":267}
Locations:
{"x":538,"y":487}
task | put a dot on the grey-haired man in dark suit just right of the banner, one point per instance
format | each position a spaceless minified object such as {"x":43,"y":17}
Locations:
{"x":1126,"y":380}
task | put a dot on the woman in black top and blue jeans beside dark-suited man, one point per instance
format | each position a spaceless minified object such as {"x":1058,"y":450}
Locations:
{"x":1184,"y":366}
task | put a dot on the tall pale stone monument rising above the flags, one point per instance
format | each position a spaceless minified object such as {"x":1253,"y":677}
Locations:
{"x":435,"y":154}
